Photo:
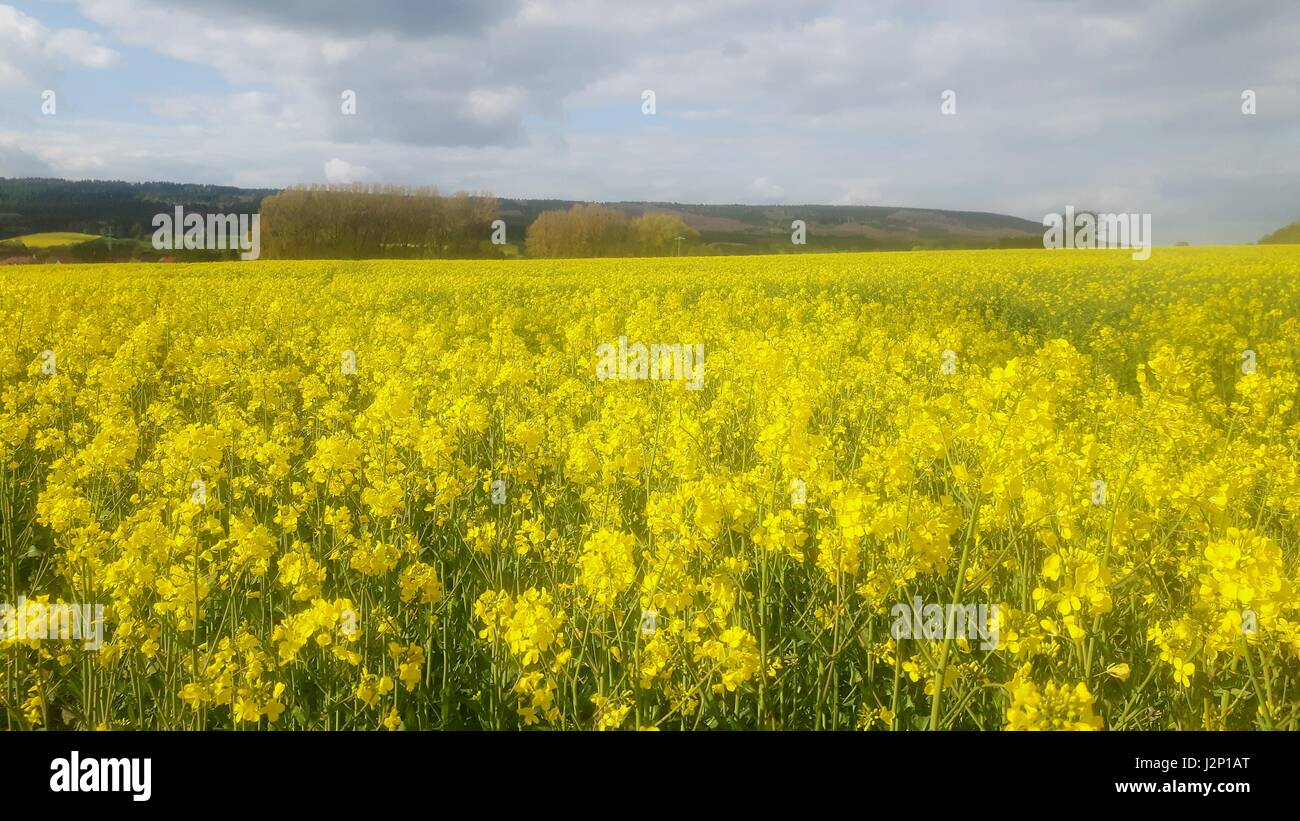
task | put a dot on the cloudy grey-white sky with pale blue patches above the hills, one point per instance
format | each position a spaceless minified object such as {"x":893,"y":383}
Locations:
{"x":1126,"y":107}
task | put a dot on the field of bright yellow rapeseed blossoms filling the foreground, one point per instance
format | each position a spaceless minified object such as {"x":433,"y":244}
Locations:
{"x":361,"y":496}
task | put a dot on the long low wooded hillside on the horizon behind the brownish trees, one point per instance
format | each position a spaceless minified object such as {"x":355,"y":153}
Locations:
{"x":125,"y":211}
